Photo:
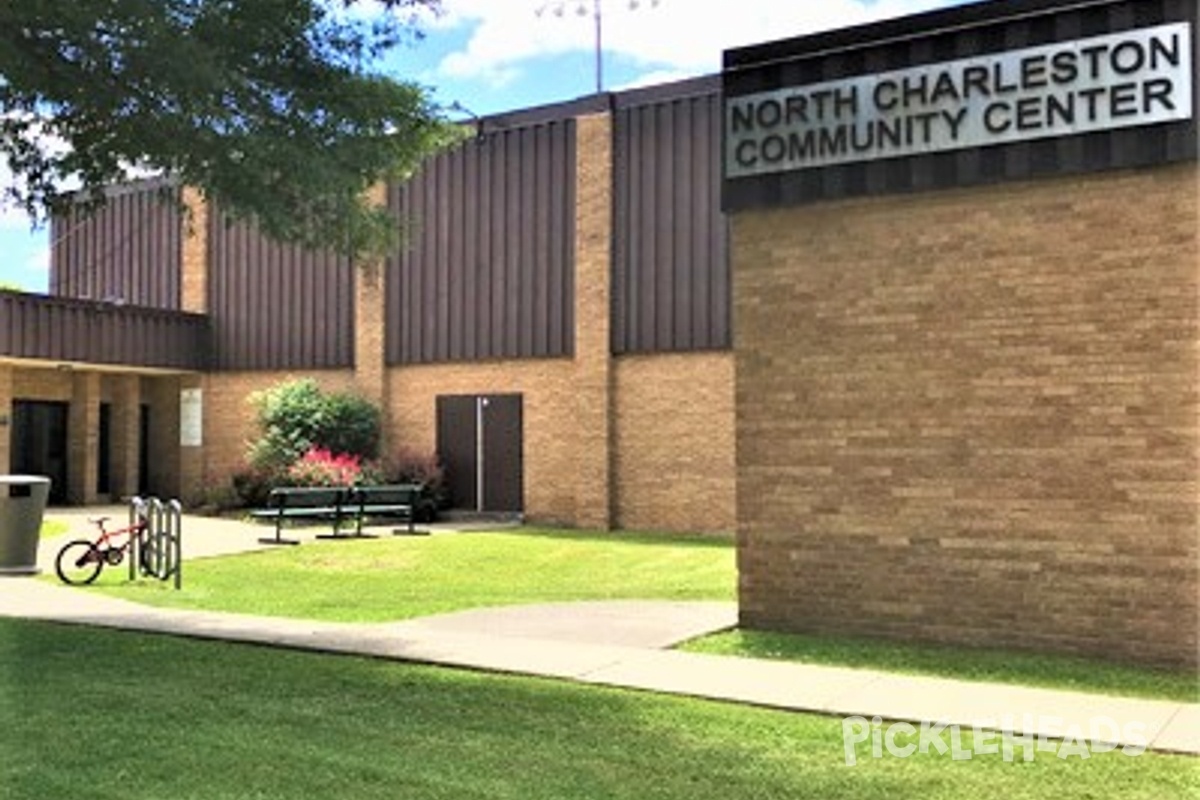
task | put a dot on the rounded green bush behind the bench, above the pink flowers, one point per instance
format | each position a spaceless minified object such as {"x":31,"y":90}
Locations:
{"x":296,"y":417}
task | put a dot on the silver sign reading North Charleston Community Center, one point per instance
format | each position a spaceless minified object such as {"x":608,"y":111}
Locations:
{"x":1135,"y":79}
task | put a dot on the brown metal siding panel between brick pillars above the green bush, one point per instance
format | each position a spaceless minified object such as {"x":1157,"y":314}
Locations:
{"x":278,"y":306}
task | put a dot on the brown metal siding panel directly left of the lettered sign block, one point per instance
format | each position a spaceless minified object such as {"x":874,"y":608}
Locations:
{"x":671,"y":276}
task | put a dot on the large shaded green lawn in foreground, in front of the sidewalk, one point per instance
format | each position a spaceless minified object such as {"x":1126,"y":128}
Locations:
{"x":105,"y":714}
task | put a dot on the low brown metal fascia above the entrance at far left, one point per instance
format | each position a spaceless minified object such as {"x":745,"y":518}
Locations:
{"x":58,"y":329}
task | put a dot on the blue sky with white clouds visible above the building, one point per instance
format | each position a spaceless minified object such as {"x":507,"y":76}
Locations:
{"x":497,"y":56}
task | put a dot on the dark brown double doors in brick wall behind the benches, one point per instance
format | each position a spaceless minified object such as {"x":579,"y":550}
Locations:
{"x":481,"y":447}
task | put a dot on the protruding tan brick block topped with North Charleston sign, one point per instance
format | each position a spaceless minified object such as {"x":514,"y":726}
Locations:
{"x":967,"y":327}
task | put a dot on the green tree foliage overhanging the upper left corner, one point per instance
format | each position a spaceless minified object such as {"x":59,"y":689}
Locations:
{"x":269,"y":107}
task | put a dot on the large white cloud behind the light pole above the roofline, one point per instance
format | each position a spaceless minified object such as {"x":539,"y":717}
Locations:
{"x":680,"y":37}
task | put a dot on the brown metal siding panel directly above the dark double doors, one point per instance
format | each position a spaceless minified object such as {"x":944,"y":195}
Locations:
{"x":487,"y":269}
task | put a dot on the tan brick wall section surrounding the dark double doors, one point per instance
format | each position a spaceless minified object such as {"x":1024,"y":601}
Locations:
{"x":550,"y":426}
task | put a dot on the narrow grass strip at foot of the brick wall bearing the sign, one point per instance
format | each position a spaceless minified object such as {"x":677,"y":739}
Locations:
{"x":961,"y":663}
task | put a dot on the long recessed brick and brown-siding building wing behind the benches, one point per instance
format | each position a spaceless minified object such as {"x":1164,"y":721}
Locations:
{"x":561,"y":308}
